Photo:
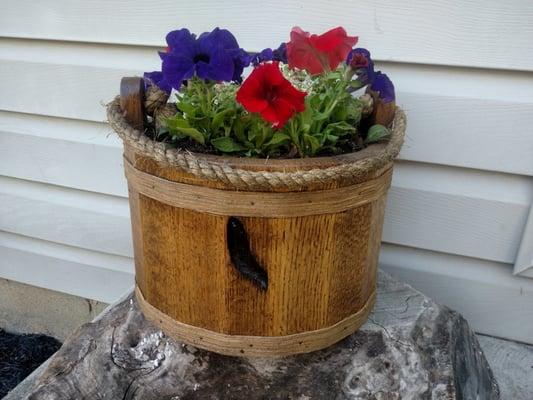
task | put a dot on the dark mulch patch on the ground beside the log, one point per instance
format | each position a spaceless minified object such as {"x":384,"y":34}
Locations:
{"x":20,"y":355}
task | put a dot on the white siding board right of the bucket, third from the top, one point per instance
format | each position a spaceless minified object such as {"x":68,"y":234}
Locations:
{"x":459,"y":211}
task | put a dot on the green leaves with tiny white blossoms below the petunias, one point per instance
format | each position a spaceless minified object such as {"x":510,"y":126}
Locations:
{"x":209,"y":114}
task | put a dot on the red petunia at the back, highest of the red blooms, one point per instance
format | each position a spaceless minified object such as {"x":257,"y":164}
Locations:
{"x":318,"y":53}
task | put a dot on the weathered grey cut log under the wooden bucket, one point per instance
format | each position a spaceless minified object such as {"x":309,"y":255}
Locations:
{"x":410,"y":348}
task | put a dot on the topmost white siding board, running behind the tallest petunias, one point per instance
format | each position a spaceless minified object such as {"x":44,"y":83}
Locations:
{"x":439,"y":32}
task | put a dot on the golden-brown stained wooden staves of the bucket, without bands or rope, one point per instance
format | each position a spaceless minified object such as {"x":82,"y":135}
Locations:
{"x":321,"y":268}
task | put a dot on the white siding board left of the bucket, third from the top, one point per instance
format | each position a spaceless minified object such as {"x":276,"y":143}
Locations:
{"x":58,"y":151}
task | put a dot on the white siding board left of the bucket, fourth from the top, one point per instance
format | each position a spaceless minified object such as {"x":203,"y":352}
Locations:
{"x":67,"y":216}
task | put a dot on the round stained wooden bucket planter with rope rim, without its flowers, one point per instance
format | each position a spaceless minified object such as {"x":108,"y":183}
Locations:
{"x":248,"y":256}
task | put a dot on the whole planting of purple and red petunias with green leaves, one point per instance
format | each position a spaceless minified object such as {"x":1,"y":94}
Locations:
{"x":301,"y":99}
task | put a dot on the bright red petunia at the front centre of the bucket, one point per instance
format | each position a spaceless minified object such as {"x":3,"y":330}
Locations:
{"x":266,"y":91}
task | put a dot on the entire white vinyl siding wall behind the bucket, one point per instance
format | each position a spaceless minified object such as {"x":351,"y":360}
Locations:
{"x":462,"y":189}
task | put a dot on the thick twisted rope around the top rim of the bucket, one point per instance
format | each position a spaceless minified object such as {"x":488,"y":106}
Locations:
{"x":201,"y":167}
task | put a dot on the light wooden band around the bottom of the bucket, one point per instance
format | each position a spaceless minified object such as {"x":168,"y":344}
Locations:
{"x":255,"y":346}
